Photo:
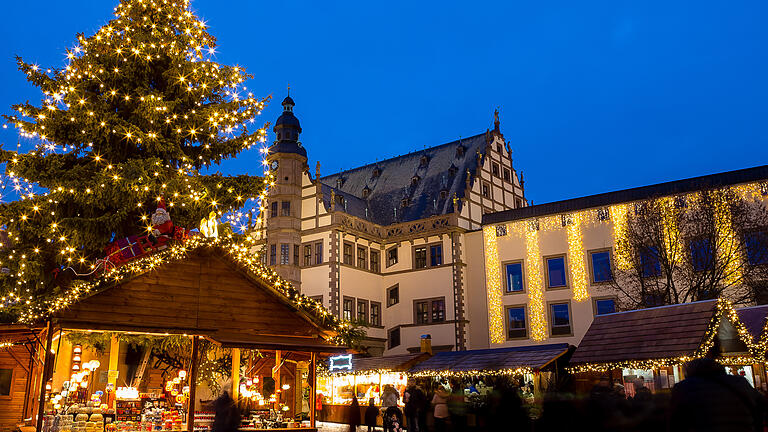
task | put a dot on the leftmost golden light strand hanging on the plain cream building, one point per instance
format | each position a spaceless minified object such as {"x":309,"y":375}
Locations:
{"x":493,"y":286}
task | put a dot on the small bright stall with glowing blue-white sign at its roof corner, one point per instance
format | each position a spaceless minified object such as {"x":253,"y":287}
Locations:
{"x":364,"y":377}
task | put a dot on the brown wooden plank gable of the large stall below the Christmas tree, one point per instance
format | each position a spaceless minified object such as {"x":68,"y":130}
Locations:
{"x":206,"y":293}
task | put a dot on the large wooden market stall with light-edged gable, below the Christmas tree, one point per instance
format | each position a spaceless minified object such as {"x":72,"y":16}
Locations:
{"x":203,"y":294}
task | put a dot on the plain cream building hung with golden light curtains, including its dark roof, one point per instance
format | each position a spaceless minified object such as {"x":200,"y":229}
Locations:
{"x":548,"y":269}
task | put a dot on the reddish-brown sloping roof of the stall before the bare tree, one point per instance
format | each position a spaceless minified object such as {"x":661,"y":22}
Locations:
{"x":646,"y":334}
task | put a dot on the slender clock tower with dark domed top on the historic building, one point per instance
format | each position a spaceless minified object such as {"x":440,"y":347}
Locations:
{"x":287,"y":161}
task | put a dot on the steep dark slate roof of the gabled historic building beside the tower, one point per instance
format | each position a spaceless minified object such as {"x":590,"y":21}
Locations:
{"x":383,"y":204}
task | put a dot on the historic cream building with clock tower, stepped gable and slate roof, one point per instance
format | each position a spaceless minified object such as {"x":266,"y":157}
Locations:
{"x":385,"y":243}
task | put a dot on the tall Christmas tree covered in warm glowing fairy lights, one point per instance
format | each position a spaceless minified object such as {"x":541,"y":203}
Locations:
{"x":208,"y":117}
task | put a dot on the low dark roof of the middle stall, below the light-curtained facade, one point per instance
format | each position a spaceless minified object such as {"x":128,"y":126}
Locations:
{"x":496,"y":359}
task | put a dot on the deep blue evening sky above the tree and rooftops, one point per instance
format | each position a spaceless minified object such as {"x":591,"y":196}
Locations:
{"x":594,"y":96}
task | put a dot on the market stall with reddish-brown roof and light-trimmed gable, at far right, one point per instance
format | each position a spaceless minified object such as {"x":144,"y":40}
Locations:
{"x":648,"y":347}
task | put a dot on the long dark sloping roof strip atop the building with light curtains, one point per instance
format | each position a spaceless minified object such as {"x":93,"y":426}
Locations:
{"x":729,"y":178}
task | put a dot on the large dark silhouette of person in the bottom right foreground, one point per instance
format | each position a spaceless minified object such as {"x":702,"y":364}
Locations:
{"x":709,"y":400}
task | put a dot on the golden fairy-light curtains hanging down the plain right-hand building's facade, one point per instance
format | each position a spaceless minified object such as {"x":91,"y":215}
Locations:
{"x":531,"y":230}
